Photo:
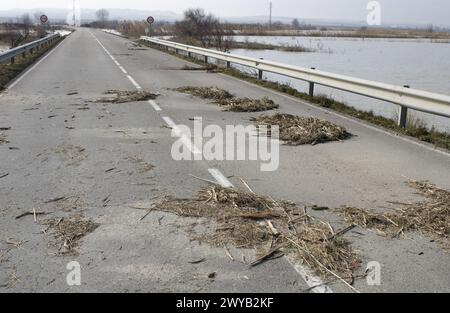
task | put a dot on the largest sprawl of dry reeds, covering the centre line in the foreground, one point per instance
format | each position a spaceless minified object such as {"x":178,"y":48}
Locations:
{"x":272,"y":227}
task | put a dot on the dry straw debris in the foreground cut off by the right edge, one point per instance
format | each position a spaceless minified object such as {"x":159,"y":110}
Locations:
{"x":429,"y":217}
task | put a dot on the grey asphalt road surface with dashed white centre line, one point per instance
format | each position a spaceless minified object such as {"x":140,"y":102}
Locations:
{"x":59,"y":149}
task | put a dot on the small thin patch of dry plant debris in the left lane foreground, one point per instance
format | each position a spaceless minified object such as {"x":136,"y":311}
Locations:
{"x":68,"y":232}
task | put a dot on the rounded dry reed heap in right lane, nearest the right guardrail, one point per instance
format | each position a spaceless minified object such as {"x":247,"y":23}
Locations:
{"x":299,"y":130}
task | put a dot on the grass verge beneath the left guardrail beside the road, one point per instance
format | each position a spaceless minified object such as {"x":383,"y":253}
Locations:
{"x":9,"y":71}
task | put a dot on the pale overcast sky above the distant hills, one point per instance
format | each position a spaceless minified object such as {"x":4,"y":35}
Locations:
{"x":393,"y":11}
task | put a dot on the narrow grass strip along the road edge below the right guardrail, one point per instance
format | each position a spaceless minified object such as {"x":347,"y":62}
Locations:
{"x":430,"y":135}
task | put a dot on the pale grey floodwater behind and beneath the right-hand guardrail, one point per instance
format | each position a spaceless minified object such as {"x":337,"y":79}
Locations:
{"x":420,"y":63}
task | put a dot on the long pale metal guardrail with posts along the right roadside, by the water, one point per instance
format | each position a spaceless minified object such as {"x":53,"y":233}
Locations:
{"x":405,"y":97}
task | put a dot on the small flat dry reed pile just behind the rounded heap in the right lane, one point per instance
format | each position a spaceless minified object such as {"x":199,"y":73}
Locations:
{"x":247,"y":104}
